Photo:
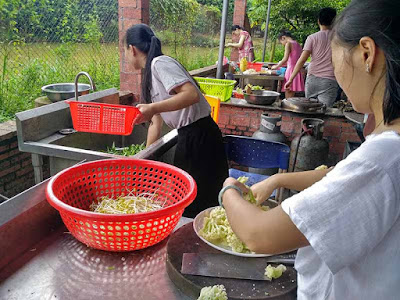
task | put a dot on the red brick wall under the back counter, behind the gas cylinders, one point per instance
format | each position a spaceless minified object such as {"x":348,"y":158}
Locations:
{"x":245,"y":121}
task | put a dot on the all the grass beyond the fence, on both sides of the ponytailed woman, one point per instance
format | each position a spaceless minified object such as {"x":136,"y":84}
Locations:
{"x":24,"y":69}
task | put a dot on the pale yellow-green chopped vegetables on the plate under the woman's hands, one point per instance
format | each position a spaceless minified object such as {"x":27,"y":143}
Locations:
{"x":216,"y":228}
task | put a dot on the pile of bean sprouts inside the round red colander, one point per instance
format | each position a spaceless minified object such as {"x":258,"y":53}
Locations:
{"x":130,"y":204}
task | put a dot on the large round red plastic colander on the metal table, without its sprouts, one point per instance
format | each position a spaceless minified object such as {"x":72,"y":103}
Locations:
{"x":73,"y":190}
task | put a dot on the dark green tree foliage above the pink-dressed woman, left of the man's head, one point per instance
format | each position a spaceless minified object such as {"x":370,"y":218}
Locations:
{"x":300,"y":17}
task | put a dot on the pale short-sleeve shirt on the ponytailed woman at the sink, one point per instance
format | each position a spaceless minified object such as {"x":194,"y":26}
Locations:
{"x":167,"y":74}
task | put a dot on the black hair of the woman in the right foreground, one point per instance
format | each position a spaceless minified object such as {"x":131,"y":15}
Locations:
{"x":379,"y":20}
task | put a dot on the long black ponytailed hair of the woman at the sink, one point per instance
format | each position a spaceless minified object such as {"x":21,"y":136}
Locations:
{"x":142,"y":37}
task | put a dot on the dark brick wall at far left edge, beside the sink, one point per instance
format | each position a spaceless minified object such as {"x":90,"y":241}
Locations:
{"x":16,"y":171}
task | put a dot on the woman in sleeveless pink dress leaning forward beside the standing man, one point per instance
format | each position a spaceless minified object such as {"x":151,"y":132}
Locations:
{"x":292,"y":54}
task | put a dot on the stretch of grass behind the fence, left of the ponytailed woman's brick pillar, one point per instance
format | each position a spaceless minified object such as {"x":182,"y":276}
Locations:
{"x":29,"y":67}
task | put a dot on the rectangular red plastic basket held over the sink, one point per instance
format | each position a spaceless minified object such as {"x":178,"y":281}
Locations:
{"x":102,"y":117}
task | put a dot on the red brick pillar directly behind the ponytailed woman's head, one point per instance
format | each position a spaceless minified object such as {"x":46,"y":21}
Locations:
{"x":130,"y":12}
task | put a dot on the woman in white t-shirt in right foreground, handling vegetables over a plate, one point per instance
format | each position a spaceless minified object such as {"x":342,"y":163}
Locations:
{"x":345,"y":221}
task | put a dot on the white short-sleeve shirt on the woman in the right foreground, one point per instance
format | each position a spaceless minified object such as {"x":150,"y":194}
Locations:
{"x":351,"y":220}
